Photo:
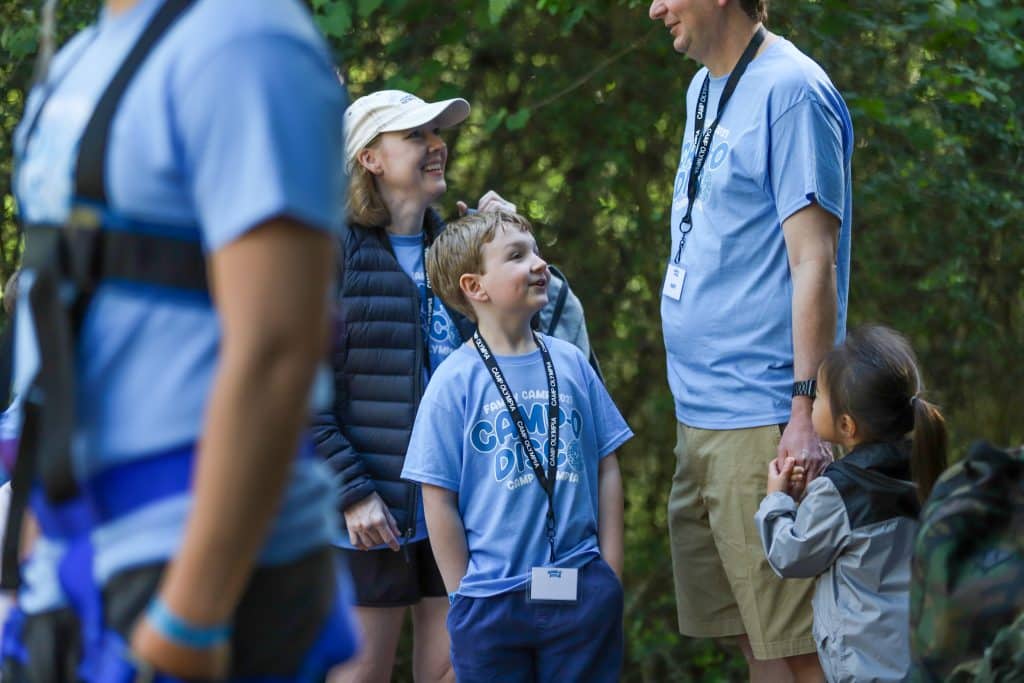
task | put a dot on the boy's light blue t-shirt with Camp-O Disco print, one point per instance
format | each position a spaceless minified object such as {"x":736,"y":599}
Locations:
{"x":464,"y":441}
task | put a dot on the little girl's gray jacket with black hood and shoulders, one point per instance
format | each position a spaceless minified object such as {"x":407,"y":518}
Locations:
{"x":855,"y":531}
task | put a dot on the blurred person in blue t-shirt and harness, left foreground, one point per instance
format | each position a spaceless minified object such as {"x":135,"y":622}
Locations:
{"x":229,"y":136}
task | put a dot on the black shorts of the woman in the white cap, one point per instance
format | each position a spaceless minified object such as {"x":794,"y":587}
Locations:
{"x":389,"y":579}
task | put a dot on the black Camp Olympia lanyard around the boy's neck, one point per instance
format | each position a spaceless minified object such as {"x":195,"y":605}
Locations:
{"x":546,"y":480}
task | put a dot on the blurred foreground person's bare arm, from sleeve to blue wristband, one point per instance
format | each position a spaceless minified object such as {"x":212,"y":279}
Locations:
{"x":270,"y":289}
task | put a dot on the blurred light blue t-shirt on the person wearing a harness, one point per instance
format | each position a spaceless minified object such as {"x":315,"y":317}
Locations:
{"x":235,"y":118}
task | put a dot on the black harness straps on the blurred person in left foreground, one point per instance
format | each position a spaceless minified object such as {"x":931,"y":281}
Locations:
{"x":81,"y":254}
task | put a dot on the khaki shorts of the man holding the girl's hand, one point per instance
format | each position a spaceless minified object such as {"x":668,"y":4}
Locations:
{"x":724,"y":586}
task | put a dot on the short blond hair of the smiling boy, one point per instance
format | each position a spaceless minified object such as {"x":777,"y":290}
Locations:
{"x":459,"y":250}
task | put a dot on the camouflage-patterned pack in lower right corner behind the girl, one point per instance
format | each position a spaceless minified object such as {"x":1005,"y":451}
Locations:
{"x":968,"y":571}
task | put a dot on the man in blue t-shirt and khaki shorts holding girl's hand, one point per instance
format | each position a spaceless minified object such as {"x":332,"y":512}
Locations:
{"x":755,"y":294}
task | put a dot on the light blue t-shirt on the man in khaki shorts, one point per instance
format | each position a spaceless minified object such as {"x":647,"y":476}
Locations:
{"x":786,"y":141}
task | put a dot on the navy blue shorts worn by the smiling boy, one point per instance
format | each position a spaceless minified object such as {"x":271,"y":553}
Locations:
{"x":504,"y":638}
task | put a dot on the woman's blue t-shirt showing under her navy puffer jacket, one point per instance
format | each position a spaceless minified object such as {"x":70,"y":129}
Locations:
{"x":443,"y":338}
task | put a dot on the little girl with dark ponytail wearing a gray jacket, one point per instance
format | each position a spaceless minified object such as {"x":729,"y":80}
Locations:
{"x":856,"y":526}
